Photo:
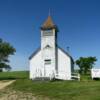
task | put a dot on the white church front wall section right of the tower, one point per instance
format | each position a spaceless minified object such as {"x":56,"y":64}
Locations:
{"x":64,"y":65}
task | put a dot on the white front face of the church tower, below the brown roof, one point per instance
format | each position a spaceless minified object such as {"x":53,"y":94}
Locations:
{"x":48,"y":53}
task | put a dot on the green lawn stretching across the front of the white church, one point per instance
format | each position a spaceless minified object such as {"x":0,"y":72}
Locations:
{"x":86,"y":89}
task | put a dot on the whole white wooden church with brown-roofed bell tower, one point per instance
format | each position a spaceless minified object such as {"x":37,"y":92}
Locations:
{"x":50,"y":61}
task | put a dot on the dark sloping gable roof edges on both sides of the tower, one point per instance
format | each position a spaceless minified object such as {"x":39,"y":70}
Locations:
{"x":34,"y":53}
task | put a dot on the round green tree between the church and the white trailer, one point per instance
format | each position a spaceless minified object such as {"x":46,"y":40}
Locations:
{"x":85,"y":64}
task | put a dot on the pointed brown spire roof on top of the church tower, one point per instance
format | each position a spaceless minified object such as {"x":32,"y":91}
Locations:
{"x":48,"y":24}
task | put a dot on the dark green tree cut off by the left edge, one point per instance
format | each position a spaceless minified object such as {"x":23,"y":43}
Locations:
{"x":5,"y":50}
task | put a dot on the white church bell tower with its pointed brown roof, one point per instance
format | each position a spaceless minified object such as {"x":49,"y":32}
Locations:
{"x":48,"y":47}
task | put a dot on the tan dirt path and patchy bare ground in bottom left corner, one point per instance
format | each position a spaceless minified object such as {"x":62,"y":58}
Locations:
{"x":8,"y":94}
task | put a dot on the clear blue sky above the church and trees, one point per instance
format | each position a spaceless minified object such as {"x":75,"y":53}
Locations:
{"x":78,"y":22}
